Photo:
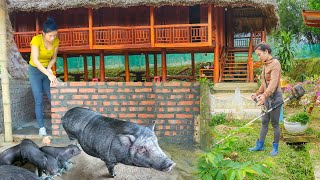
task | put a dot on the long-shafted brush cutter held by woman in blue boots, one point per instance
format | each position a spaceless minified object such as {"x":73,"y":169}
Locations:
{"x":296,"y":92}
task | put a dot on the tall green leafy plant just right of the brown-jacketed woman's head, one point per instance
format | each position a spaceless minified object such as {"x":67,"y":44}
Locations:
{"x":285,"y":50}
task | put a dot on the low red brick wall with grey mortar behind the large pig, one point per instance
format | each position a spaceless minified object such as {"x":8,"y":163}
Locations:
{"x":173,"y":105}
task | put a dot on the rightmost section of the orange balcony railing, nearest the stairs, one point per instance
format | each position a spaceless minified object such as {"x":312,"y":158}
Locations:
{"x":181,"y":33}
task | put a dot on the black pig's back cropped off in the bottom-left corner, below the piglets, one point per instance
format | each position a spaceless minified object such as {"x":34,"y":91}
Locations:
{"x":9,"y":172}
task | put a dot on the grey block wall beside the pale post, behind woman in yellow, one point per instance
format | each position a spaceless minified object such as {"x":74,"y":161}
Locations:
{"x":22,"y":103}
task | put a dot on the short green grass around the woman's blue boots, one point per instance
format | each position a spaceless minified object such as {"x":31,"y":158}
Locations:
{"x":291,"y":162}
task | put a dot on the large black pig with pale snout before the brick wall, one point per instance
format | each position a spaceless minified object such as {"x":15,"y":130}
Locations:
{"x":115,"y":141}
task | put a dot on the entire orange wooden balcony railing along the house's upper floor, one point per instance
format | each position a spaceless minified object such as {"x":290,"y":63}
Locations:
{"x":117,"y":37}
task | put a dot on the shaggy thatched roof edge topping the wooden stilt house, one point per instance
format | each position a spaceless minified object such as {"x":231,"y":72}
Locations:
{"x":267,"y":8}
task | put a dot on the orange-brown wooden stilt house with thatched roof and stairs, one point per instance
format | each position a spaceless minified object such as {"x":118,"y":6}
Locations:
{"x":229,"y":29}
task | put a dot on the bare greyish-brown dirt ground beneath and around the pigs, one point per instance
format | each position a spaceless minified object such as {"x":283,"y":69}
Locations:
{"x":86,"y":167}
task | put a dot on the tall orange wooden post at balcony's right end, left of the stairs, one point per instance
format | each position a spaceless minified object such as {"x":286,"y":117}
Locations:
{"x":216,"y":48}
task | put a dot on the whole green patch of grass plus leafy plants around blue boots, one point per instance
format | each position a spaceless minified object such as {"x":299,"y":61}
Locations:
{"x":290,"y":163}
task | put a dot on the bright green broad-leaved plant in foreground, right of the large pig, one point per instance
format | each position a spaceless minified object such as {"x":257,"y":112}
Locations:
{"x":214,"y":165}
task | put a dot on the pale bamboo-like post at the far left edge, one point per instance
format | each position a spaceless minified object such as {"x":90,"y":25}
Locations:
{"x":5,"y":83}
